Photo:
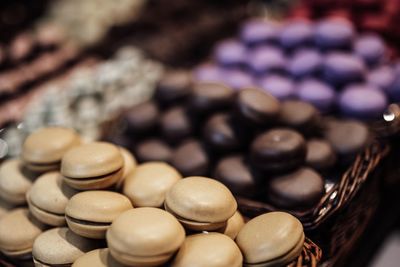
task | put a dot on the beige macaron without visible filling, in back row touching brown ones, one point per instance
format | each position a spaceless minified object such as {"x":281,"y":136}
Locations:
{"x":148,"y":184}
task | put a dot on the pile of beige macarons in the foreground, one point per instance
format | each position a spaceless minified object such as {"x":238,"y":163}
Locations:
{"x":69,"y":203}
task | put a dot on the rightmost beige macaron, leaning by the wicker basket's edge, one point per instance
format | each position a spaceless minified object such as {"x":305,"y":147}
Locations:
{"x":271,"y":239}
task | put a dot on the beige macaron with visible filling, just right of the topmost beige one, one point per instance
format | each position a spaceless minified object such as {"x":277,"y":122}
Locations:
{"x":95,"y":165}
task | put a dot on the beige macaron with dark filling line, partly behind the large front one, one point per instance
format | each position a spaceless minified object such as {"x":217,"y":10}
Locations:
{"x":90,"y":213}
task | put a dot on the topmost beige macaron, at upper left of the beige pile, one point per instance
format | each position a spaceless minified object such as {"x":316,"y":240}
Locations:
{"x":42,"y":150}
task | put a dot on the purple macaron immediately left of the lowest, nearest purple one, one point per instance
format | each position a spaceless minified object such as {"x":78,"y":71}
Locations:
{"x":317,"y":93}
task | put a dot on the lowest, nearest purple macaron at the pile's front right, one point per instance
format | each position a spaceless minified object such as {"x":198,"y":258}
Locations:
{"x":362,"y":101}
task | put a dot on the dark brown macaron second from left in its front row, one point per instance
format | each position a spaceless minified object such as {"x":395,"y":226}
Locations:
{"x":190,"y":159}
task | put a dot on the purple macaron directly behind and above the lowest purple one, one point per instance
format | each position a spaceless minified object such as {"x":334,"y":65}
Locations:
{"x":340,"y":69}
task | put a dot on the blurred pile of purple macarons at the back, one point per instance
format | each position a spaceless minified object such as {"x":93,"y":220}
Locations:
{"x":326,"y":63}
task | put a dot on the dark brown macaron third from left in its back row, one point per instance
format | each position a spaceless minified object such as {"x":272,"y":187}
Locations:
{"x":256,"y":107}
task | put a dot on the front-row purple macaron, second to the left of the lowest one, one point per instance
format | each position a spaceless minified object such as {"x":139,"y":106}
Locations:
{"x":279,"y":86}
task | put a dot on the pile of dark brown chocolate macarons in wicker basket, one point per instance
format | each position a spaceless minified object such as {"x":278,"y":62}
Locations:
{"x":279,"y":152}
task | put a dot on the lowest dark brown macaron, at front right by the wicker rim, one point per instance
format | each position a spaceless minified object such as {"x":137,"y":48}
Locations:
{"x":300,"y":189}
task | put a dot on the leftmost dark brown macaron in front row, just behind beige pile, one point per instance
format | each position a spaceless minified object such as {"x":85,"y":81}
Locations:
{"x":153,"y":150}
